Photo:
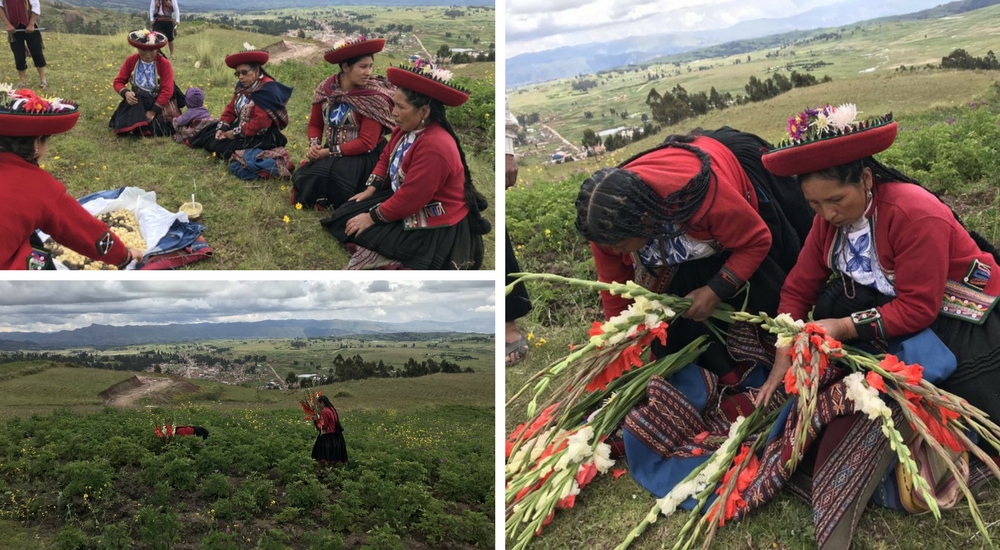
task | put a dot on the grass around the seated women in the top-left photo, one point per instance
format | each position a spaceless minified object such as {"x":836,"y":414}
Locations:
{"x":244,"y":220}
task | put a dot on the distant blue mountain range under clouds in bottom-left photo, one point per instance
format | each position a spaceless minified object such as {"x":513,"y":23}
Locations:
{"x":105,"y":335}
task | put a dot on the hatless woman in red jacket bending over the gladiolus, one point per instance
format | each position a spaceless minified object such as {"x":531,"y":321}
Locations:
{"x":697,"y":216}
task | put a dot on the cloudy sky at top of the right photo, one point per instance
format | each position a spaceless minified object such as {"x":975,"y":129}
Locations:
{"x":533,"y":26}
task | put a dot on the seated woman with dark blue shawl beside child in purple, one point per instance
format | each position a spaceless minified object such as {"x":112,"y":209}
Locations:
{"x":255,"y":115}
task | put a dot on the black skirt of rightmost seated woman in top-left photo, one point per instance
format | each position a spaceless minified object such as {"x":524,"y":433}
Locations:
{"x":451,"y":247}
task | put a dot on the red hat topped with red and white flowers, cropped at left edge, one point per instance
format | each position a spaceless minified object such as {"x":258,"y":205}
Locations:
{"x":24,"y":114}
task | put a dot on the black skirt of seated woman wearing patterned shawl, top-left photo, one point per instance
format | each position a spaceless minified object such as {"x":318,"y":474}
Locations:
{"x":333,"y":180}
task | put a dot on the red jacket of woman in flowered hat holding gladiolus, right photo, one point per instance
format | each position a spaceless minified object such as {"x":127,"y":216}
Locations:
{"x":920,"y":247}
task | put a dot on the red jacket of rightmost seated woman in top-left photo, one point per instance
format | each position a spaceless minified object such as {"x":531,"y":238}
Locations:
{"x":433,"y":173}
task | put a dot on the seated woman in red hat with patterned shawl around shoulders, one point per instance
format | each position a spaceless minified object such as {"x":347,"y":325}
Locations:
{"x":351,"y":112}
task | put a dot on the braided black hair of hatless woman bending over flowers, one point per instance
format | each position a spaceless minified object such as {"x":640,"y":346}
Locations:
{"x":615,"y":204}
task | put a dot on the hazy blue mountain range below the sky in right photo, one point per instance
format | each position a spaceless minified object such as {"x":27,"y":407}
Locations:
{"x":588,"y":59}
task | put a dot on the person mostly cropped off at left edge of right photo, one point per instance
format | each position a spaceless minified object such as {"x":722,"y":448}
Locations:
{"x":518,"y":303}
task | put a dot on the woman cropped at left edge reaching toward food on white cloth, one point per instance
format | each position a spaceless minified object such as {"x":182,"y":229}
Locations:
{"x":32,"y":199}
